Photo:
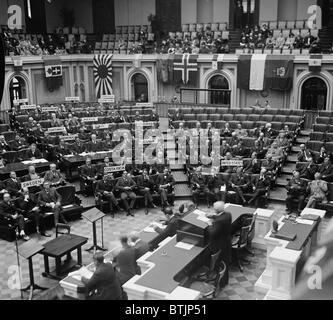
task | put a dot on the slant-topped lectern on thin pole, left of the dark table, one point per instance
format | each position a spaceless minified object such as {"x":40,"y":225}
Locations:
{"x":27,"y":250}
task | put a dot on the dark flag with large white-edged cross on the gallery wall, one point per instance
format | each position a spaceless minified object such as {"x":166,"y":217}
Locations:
{"x":185,"y":68}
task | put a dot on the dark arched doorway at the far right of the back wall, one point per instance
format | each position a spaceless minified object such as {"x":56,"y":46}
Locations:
{"x":314,"y":94}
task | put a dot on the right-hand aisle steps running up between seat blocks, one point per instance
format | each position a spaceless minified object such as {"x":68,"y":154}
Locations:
{"x":279,"y":194}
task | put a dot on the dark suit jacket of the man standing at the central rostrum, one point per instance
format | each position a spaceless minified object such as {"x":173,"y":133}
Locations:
{"x":220,"y":235}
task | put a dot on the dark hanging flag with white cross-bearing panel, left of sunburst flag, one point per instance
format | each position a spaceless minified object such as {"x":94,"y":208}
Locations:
{"x":53,"y":72}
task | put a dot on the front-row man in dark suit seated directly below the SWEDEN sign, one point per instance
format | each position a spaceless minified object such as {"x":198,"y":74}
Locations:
{"x":27,"y":204}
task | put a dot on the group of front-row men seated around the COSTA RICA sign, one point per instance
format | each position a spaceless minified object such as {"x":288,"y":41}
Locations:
{"x":145,"y":181}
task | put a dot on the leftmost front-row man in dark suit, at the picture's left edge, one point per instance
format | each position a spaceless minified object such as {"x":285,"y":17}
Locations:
{"x":8,"y":210}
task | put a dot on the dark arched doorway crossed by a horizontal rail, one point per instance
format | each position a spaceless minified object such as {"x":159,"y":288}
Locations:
{"x":217,"y":96}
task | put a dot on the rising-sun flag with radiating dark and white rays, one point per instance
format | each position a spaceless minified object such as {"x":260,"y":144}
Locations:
{"x":103,"y":74}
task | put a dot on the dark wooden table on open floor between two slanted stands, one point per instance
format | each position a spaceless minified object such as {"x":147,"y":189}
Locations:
{"x":59,"y":247}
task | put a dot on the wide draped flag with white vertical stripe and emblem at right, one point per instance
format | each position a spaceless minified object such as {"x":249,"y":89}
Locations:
{"x":261,"y":72}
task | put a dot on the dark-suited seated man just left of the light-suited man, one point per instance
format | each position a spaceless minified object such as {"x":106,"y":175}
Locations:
{"x":296,"y":190}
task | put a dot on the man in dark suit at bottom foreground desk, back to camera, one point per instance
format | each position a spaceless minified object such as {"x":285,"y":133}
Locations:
{"x":104,"y":284}
